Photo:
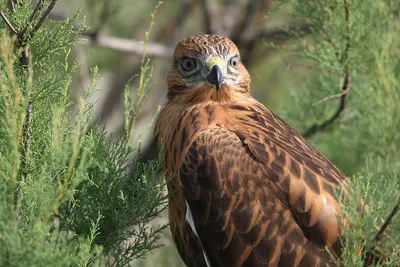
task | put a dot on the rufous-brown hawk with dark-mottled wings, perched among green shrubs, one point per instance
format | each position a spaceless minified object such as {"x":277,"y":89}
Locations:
{"x":248,"y":190}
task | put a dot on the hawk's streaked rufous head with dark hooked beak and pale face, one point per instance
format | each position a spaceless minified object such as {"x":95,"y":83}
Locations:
{"x":207,"y":67}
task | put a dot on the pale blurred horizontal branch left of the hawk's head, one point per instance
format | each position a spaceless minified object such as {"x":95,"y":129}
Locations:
{"x":130,"y":46}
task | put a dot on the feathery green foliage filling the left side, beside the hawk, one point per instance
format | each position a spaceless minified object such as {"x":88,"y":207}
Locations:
{"x":69,"y":195}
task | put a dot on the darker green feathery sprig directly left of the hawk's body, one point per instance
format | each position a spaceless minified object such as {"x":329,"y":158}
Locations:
{"x":126,"y":197}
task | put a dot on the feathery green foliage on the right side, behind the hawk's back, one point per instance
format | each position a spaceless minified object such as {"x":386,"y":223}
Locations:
{"x":364,"y":140}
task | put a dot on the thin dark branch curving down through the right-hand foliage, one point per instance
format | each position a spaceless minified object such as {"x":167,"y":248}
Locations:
{"x":346,"y":83}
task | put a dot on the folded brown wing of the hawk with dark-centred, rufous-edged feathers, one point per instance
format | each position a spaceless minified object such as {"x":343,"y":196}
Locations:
{"x":250,"y":212}
